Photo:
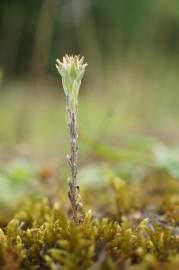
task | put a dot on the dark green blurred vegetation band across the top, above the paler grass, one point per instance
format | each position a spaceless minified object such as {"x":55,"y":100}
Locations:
{"x":42,"y":30}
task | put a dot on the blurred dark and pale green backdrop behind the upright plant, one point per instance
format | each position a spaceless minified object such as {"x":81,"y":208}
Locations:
{"x":131,"y":83}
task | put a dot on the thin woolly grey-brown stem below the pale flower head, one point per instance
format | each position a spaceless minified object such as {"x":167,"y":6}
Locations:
{"x":74,"y":192}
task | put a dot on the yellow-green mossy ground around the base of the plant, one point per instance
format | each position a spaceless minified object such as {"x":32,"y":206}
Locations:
{"x":127,"y":225}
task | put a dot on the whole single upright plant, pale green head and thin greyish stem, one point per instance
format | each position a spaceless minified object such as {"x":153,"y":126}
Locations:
{"x":72,"y":69}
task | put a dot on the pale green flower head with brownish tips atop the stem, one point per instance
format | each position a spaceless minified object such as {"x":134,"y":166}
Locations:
{"x":71,"y":69}
